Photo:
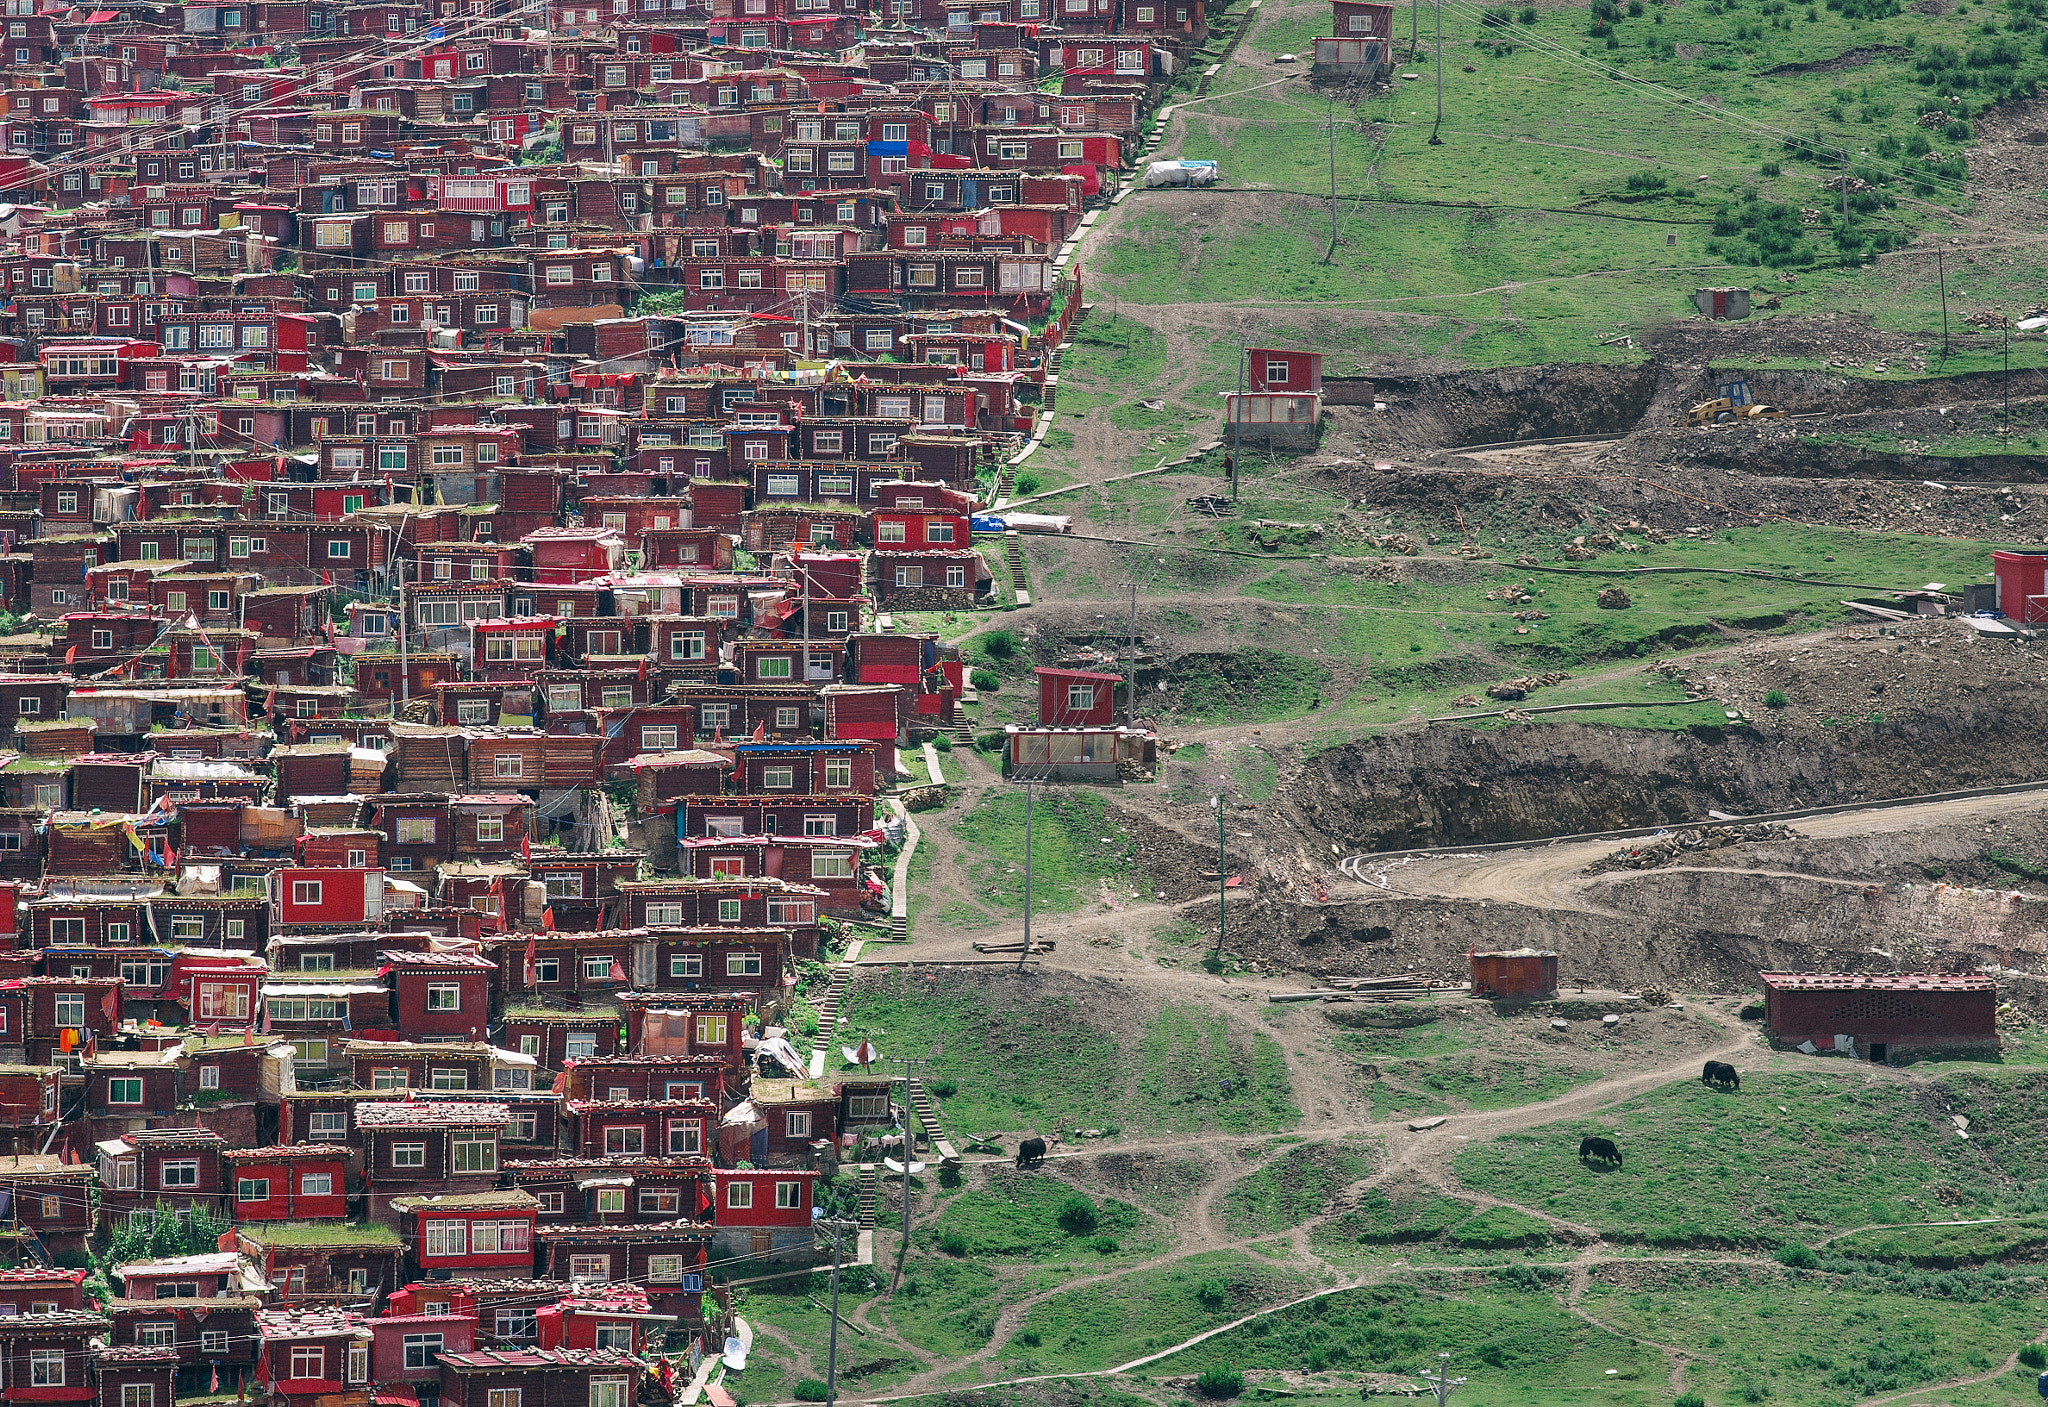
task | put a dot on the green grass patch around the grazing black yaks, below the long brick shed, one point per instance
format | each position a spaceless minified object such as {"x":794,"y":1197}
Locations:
{"x":1705,"y":1168}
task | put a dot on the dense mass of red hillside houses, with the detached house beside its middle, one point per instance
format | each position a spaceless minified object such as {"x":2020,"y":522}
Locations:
{"x":435,"y":456}
